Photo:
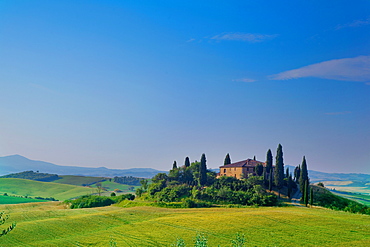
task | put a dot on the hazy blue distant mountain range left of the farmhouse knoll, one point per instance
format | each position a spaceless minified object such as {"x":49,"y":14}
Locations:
{"x":18,"y":163}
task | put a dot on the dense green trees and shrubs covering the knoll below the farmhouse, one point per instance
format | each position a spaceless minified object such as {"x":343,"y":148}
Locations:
{"x":196,"y":186}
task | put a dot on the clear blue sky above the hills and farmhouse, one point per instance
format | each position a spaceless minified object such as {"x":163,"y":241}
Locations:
{"x":125,"y":84}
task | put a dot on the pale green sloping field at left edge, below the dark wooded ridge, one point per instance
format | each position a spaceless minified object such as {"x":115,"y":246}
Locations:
{"x":24,"y":187}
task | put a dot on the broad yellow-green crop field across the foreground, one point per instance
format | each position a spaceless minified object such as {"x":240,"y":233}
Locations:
{"x":50,"y":224}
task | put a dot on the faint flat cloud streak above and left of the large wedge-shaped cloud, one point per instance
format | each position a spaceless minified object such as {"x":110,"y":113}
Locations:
{"x":247,"y":37}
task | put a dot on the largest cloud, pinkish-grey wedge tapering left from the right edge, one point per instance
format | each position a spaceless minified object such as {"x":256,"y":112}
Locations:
{"x":346,"y":69}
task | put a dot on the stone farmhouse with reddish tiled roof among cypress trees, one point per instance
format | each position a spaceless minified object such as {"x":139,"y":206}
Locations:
{"x":240,"y":169}
